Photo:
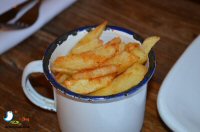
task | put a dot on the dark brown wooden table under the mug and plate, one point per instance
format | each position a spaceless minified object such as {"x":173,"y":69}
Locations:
{"x":177,"y":23}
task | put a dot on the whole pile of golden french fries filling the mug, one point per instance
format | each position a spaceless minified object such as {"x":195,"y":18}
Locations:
{"x":99,"y":69}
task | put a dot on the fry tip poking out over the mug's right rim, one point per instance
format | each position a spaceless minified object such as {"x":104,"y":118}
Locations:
{"x":149,"y":43}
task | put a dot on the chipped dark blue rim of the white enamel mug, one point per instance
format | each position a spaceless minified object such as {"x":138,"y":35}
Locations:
{"x":58,"y":86}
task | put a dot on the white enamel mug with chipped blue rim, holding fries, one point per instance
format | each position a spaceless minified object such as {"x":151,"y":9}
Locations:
{"x":123,"y":112}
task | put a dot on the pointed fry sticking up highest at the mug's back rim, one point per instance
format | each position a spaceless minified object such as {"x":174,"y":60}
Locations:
{"x":90,"y":41}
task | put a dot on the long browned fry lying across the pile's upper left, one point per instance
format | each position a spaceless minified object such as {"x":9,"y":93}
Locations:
{"x":86,"y":60}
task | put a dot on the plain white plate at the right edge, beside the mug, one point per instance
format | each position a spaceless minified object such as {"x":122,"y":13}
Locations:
{"x":179,"y":95}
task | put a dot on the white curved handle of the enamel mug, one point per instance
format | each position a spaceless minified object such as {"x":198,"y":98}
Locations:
{"x":30,"y":92}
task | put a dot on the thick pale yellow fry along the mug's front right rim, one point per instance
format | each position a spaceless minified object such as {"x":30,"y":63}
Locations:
{"x":130,"y":78}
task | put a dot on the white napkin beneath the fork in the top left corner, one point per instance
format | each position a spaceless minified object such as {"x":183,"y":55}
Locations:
{"x":48,"y":10}
